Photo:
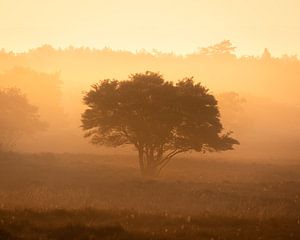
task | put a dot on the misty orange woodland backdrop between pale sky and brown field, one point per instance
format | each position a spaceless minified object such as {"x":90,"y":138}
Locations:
{"x":258,"y":95}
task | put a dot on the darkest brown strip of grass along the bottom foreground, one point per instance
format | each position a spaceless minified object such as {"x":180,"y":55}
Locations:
{"x":96,"y":224}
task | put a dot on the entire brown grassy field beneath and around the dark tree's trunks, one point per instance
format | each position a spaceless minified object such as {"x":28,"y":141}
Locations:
{"x":66,"y":196}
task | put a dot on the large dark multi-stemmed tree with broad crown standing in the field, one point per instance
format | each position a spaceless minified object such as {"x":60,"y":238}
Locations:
{"x":159,"y":118}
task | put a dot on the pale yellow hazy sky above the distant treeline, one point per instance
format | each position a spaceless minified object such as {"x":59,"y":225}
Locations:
{"x":180,"y":26}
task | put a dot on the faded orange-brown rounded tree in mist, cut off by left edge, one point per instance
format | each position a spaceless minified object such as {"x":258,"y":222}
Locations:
{"x":17,"y":118}
